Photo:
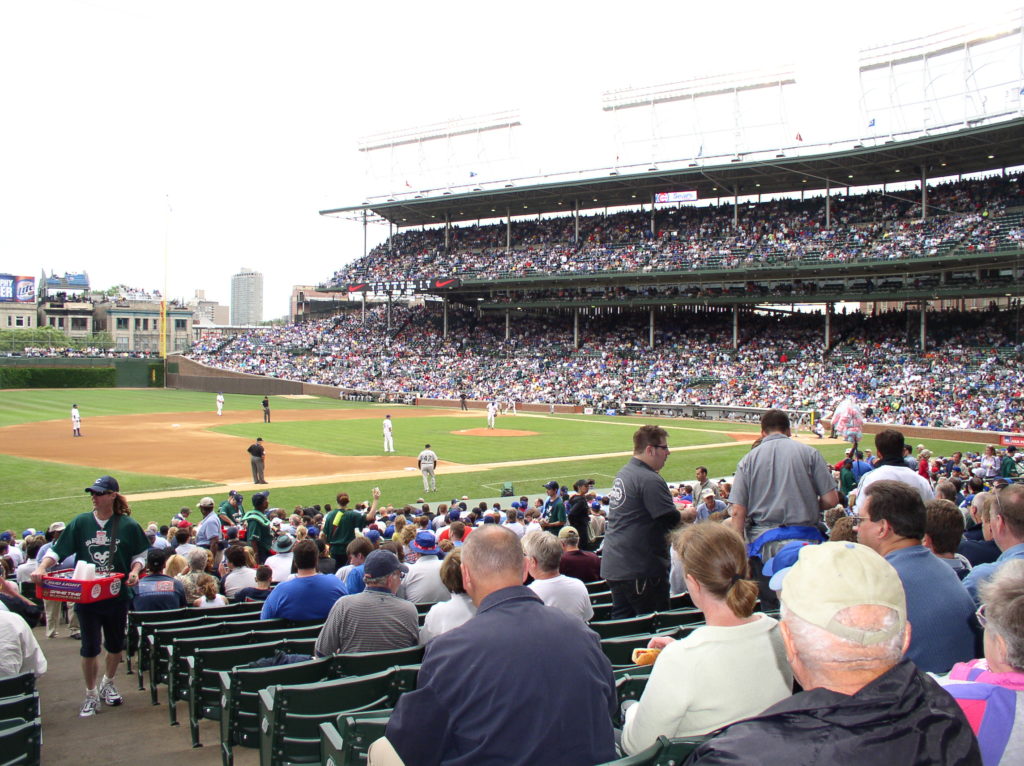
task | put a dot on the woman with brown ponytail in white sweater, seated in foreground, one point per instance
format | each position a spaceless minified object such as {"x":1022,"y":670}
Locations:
{"x":734,"y":668}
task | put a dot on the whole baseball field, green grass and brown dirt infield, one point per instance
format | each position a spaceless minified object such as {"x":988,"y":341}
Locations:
{"x":168,"y":449}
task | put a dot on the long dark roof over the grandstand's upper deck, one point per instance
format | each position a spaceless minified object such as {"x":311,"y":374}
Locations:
{"x":968,"y":151}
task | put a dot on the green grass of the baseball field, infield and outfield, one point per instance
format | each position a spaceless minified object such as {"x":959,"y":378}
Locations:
{"x":37,"y":493}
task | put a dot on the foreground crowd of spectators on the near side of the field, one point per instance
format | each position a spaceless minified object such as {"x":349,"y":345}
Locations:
{"x":937,"y":543}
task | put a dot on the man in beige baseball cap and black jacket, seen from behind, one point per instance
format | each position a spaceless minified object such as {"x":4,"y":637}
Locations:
{"x":845,"y":630}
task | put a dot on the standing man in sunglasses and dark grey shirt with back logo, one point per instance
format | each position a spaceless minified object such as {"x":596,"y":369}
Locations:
{"x":635,"y":558}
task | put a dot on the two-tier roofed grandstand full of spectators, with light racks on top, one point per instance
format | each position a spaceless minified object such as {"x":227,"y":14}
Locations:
{"x":879,"y":268}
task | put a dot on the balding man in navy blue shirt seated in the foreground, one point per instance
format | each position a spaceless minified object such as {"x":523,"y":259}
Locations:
{"x":547,"y":698}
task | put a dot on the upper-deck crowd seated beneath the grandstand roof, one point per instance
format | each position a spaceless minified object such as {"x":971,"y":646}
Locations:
{"x":964,"y":216}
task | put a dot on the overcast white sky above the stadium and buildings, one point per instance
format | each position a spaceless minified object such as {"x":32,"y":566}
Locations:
{"x":242,"y":118}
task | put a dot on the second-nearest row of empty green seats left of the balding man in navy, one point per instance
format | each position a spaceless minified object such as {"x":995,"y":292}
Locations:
{"x":290,"y":716}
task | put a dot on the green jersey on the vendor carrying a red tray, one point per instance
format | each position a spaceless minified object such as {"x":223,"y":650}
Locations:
{"x":90,"y":541}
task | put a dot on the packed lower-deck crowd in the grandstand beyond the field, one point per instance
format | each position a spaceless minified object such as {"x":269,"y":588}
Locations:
{"x":970,"y":377}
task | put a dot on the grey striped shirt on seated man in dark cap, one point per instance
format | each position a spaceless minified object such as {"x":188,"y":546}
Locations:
{"x":371,"y":621}
